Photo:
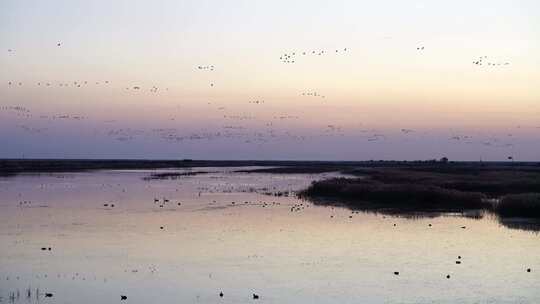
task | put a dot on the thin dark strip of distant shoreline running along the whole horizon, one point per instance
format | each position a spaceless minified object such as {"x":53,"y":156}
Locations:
{"x":14,"y":166}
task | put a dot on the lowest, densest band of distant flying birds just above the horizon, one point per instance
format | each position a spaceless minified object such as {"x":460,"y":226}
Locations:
{"x":268,"y":131}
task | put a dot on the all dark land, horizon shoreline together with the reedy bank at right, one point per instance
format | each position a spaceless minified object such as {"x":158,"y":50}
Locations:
{"x":398,"y":185}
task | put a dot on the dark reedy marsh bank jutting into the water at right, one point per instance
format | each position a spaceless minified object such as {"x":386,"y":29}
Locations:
{"x":507,"y":191}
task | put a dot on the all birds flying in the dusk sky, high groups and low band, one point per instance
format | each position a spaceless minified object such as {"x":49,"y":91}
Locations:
{"x":268,"y":131}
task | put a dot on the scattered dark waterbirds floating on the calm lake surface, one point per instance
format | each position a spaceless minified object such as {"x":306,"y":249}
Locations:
{"x":275,"y":189}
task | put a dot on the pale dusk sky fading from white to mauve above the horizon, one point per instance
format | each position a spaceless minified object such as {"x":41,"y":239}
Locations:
{"x":403,"y":80}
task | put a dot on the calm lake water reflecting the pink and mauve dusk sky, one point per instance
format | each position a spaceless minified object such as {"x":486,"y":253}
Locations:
{"x":187,"y":239}
